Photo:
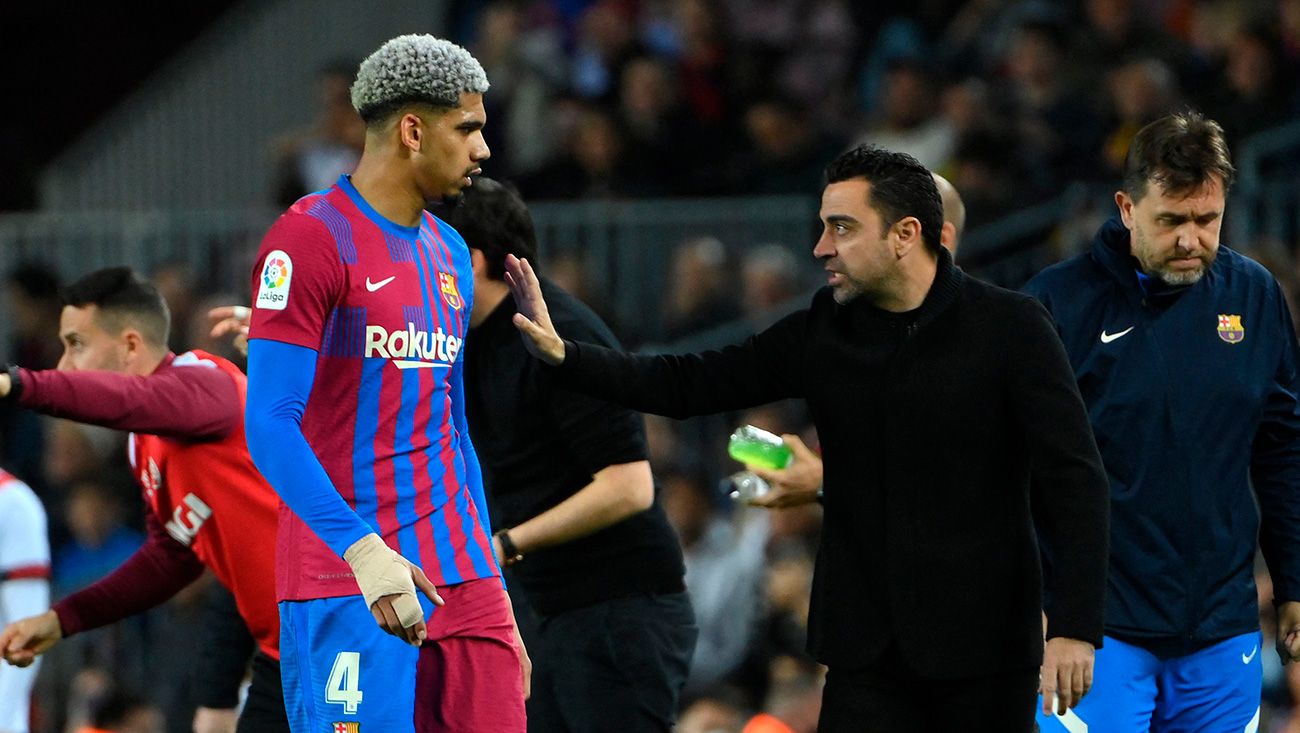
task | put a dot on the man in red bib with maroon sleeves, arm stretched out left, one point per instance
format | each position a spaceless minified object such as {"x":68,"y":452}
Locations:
{"x":207,"y":506}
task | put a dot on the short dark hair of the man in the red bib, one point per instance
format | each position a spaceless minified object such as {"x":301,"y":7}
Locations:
{"x":124,"y":300}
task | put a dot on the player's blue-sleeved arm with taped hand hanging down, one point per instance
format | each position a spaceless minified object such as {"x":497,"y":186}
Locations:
{"x":280,"y":380}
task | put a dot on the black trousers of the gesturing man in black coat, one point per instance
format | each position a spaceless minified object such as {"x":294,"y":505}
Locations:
{"x":889,"y":697}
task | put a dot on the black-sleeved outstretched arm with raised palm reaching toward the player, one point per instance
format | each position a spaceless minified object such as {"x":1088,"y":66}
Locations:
{"x":764,"y":368}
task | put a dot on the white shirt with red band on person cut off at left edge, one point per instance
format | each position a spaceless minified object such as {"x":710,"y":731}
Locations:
{"x":24,"y":588}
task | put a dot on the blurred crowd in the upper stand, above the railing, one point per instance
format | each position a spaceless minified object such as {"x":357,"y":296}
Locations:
{"x":1009,"y":99}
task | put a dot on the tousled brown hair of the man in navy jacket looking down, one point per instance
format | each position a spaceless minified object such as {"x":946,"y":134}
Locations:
{"x":1180,"y":153}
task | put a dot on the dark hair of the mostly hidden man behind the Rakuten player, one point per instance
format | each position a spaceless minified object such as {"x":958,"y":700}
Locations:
{"x":495,"y":220}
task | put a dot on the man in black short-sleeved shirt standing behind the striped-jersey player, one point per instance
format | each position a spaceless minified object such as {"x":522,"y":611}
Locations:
{"x":573,"y":498}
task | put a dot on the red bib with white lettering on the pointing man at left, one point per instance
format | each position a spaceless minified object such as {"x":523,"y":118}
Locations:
{"x":210,"y":498}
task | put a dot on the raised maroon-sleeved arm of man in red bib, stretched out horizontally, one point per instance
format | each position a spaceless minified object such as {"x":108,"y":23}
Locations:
{"x":193,"y":402}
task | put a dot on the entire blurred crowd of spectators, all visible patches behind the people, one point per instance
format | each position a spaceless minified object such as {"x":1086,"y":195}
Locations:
{"x":1011,"y":99}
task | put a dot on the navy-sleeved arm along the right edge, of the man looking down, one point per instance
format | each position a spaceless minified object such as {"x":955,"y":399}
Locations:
{"x":1276,"y":476}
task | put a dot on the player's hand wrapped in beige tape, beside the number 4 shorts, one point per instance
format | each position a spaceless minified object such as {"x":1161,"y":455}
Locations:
{"x":388,"y":583}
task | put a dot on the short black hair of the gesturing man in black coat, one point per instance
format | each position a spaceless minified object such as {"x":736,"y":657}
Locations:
{"x":900,"y":188}
